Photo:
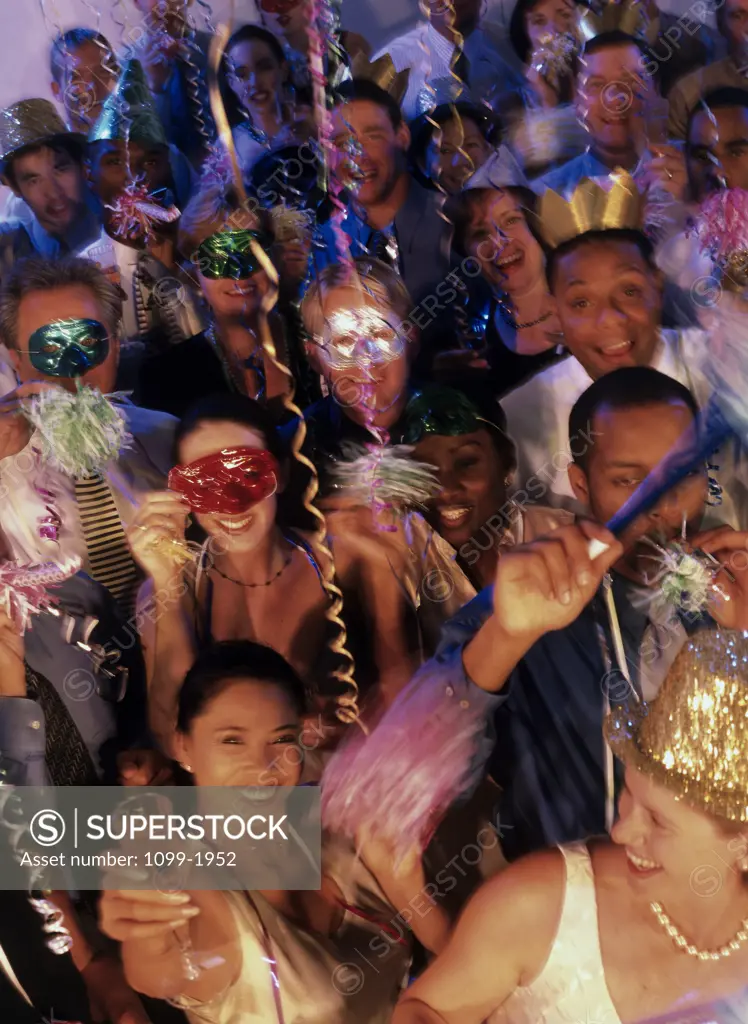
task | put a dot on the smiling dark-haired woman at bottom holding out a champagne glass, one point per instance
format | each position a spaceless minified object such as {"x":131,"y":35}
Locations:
{"x":265,"y":956}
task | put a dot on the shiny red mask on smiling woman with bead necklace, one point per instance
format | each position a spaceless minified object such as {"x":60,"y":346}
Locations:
{"x":229,"y":483}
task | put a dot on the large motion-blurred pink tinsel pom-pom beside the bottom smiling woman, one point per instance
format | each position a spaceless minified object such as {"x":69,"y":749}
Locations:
{"x":429,"y":750}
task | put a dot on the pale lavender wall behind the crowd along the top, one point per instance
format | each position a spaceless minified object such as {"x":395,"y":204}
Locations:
{"x":25,"y":35}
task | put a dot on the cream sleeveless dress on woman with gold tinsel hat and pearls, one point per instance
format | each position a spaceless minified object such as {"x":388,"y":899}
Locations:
{"x":571,"y":989}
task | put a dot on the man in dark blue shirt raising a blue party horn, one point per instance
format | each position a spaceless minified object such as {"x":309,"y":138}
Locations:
{"x":543,"y":639}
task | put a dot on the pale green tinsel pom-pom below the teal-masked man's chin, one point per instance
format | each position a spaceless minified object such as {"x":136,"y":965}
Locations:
{"x":80,"y":434}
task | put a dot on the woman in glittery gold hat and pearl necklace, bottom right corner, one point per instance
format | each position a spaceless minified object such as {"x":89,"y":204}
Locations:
{"x":652,"y":926}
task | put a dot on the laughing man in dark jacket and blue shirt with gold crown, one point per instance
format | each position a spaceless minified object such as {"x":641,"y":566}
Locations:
{"x":391,"y":217}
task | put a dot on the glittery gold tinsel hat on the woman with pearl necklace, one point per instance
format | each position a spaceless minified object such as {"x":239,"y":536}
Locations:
{"x":693,"y":740}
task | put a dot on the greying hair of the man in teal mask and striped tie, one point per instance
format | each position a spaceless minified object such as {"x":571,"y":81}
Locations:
{"x":39,"y":274}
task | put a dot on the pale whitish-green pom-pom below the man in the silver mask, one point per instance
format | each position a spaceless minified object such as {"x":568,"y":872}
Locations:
{"x":386,"y":477}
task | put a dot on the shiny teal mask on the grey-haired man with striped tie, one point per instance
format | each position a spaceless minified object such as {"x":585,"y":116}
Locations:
{"x":69,"y":349}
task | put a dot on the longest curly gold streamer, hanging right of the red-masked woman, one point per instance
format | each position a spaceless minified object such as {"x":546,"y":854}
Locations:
{"x":348,"y":702}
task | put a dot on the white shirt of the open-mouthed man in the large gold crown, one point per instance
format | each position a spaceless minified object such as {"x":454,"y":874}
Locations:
{"x":538,"y":413}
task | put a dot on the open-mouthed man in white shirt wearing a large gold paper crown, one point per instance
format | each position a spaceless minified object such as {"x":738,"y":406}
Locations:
{"x":609,"y":296}
